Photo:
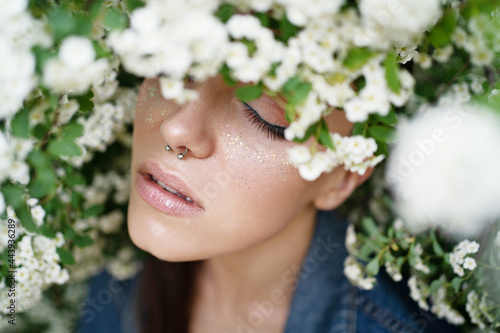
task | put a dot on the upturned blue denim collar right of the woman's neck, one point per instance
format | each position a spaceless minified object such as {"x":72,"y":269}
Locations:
{"x":324,"y":300}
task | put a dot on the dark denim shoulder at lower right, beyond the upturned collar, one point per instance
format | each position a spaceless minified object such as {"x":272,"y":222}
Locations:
{"x":389,"y":308}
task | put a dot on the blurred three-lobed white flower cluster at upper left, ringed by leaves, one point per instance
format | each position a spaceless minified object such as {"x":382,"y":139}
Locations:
{"x":75,"y":68}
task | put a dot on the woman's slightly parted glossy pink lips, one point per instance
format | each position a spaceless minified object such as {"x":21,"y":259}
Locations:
{"x":161,"y":199}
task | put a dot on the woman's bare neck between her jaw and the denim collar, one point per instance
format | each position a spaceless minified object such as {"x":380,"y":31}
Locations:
{"x":263,"y":272}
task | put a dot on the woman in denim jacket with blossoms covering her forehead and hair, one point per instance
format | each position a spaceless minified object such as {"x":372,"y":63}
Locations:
{"x":240,"y":242}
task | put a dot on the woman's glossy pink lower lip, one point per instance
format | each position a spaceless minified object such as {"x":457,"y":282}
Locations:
{"x":163,"y":200}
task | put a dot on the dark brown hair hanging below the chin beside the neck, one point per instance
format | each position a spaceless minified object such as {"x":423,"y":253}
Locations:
{"x":165,"y":294}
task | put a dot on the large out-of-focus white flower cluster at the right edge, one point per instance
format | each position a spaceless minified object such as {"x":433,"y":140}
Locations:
{"x":434,"y":166}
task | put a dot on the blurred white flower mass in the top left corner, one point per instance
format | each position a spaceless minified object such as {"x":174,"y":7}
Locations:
{"x":17,"y":63}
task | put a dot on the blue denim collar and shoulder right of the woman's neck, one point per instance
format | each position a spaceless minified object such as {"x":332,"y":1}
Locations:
{"x":339,"y":306}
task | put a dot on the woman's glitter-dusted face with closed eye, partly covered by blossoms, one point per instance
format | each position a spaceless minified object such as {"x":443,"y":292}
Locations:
{"x":237,"y":188}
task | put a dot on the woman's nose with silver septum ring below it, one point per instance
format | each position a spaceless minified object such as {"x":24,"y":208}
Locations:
{"x":191,"y":126}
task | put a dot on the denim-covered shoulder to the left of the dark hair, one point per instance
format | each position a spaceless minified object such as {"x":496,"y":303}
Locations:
{"x":108,"y":306}
